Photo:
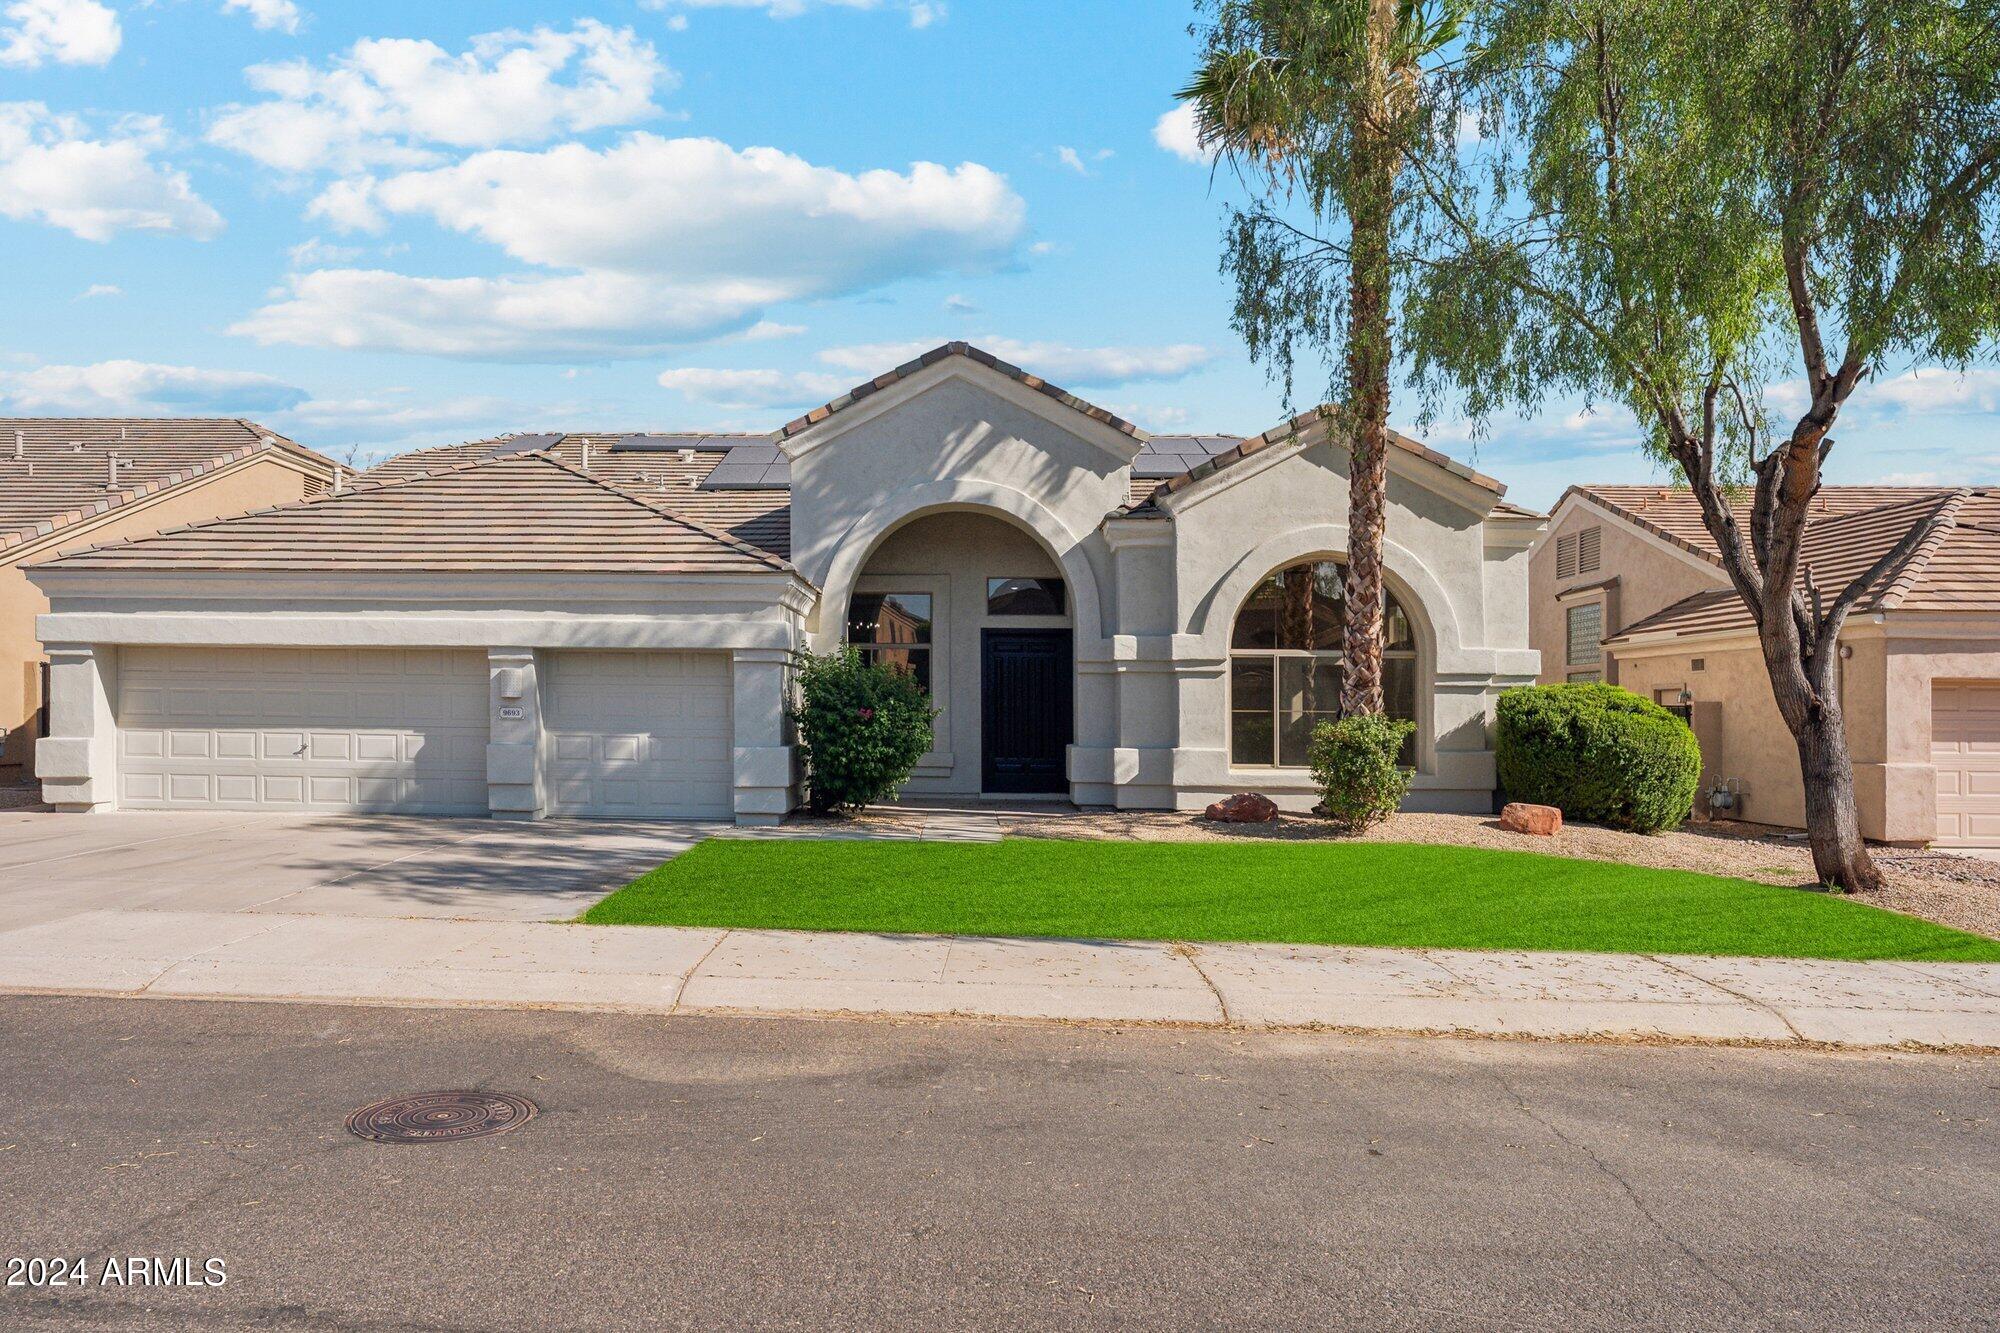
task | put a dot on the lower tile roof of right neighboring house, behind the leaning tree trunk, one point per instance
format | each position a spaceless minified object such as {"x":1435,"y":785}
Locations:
{"x":1953,"y":567}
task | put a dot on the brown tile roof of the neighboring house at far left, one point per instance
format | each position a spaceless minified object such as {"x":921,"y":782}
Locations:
{"x":63,"y":475}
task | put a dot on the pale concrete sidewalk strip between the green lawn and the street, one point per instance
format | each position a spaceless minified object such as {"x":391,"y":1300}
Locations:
{"x":655,"y":970}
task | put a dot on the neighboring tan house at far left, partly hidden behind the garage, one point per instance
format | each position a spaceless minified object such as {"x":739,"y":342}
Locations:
{"x":69,"y":483}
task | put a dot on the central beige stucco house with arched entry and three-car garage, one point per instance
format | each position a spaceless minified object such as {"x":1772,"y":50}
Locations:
{"x":605,"y":625}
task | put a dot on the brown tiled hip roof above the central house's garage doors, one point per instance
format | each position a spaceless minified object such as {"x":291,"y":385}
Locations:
{"x":525,"y":513}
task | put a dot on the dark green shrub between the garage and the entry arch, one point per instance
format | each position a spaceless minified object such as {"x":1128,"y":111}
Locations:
{"x":861,"y":730}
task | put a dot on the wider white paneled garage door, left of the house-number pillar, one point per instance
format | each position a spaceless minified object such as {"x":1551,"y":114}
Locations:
{"x":303,"y":730}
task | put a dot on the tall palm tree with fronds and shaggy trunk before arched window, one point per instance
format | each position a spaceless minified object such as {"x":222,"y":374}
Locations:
{"x":1319,"y":105}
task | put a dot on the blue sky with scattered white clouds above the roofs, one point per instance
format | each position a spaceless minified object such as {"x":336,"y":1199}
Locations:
{"x":379,"y":227}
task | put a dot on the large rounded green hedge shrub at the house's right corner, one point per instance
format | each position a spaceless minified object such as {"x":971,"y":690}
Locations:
{"x":1599,"y":754}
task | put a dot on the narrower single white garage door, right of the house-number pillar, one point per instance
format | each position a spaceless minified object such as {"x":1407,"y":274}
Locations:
{"x":639,"y":736}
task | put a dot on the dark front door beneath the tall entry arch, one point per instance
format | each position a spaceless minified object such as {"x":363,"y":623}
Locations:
{"x":1029,"y":706}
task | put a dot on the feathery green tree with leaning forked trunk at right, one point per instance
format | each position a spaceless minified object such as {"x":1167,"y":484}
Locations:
{"x":1683,"y":203}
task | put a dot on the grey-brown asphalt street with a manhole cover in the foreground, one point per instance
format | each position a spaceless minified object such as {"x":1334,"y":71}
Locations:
{"x":719,"y":1172}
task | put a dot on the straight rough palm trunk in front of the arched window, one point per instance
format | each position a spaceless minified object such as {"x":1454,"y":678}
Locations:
{"x":1371,"y":203}
